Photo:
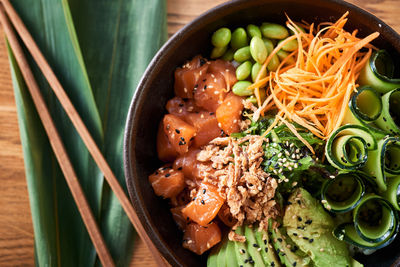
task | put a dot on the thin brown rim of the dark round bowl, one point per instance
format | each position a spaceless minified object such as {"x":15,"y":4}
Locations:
{"x":128,"y":154}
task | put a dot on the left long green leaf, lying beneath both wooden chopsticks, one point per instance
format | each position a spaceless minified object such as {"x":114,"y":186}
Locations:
{"x":51,"y":26}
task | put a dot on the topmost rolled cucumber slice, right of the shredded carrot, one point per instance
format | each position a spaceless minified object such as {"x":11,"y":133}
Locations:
{"x":378,"y":73}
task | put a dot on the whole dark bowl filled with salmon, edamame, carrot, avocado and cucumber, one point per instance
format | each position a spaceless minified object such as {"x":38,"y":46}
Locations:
{"x":204,"y":45}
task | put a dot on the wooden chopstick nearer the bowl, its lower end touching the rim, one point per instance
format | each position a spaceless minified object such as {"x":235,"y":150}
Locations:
{"x":79,"y":125}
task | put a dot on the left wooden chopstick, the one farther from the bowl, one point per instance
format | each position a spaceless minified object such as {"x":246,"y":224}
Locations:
{"x":57,"y":145}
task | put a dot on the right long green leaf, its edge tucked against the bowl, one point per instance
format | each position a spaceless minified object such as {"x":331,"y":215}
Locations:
{"x":134,"y":31}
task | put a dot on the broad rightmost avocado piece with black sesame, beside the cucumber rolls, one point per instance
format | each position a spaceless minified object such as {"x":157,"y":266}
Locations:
{"x":310,"y":227}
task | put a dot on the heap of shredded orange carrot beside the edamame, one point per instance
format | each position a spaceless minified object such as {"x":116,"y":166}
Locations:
{"x":314,"y":92}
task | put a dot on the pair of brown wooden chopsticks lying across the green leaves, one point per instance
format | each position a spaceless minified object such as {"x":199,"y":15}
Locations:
{"x":6,"y":9}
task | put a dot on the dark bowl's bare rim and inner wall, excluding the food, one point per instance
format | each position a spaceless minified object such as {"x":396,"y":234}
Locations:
{"x":156,"y":87}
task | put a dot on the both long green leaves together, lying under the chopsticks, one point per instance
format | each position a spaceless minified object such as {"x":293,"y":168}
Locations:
{"x":99,"y":66}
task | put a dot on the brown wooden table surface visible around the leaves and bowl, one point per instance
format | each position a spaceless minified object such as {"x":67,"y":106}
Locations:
{"x":16,"y":232}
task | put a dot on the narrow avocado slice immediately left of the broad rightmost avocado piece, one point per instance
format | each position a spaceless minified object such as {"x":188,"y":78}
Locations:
{"x":287,"y":253}
